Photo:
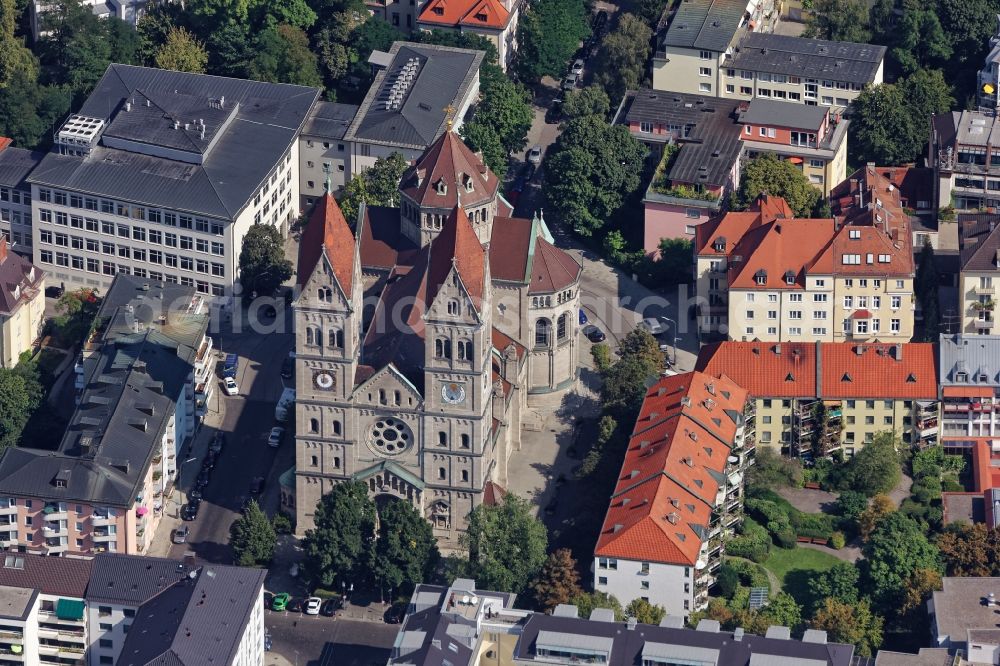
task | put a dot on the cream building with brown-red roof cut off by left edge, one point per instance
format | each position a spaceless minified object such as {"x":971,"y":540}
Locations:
{"x":22,"y":305}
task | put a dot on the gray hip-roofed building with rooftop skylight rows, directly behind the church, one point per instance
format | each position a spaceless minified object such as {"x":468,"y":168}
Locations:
{"x":422,"y":91}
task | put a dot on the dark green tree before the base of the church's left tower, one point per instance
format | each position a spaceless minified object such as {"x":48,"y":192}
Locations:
{"x":339,"y":547}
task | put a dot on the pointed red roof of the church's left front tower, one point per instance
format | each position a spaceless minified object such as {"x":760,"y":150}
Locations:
{"x":327,"y":231}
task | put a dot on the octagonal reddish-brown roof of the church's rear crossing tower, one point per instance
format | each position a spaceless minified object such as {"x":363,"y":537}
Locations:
{"x":451,"y":163}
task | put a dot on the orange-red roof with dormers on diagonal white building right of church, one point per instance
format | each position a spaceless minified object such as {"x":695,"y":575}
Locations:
{"x":662,"y":504}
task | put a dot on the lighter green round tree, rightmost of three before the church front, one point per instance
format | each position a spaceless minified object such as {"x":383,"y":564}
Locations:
{"x":506,"y":544}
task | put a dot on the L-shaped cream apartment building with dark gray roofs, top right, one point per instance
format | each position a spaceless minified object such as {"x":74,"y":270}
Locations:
{"x":725,"y":48}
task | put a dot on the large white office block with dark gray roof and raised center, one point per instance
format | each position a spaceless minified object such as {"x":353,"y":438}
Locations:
{"x":161,"y":173}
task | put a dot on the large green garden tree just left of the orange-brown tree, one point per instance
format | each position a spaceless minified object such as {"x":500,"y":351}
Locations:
{"x":894,"y":551}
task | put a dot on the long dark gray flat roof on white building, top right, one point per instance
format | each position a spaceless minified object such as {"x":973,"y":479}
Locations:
{"x":807,"y":58}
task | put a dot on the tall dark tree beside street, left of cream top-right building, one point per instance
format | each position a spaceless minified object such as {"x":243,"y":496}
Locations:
{"x":622,"y":56}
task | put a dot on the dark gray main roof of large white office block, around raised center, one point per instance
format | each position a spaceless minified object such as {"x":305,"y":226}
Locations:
{"x":244,"y":147}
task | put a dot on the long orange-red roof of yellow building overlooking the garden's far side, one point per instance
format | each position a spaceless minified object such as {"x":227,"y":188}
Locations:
{"x":789,"y":370}
